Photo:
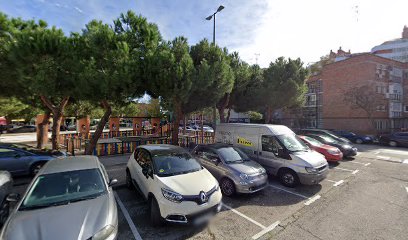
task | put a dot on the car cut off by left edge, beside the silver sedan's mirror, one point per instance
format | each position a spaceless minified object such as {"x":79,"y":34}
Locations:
{"x":6,"y":184}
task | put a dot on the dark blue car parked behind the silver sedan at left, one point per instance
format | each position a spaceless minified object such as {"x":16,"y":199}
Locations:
{"x":21,"y":159}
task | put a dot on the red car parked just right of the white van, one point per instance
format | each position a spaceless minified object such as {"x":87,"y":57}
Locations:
{"x":332,"y":154}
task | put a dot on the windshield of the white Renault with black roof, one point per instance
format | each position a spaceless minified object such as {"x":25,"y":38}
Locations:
{"x":175,"y":164}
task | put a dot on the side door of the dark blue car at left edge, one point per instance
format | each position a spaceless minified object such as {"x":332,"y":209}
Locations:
{"x":14,"y":161}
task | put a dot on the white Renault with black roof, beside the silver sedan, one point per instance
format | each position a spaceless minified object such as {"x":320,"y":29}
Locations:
{"x":177,"y":188}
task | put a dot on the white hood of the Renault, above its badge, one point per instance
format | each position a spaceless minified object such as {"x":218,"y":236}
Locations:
{"x":190,"y":183}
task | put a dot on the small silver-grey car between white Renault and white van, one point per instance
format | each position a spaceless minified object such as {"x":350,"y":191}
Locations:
{"x":232,"y":168}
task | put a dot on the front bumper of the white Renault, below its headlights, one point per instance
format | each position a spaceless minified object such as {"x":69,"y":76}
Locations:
{"x":189,"y":211}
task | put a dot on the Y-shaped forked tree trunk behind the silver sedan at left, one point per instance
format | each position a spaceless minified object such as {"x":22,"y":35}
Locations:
{"x":57,"y":113}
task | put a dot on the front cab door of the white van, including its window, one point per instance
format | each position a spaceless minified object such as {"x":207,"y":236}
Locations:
{"x":268,"y":153}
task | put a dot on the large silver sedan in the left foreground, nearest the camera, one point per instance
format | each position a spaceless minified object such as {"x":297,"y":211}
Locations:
{"x":69,"y":198}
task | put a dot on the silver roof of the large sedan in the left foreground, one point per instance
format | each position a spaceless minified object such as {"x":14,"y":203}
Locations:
{"x":70,"y":164}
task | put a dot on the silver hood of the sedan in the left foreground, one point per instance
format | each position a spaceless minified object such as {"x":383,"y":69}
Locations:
{"x":78,"y":220}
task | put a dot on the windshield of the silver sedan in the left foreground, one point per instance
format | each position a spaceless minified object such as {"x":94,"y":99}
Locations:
{"x":64,"y":188}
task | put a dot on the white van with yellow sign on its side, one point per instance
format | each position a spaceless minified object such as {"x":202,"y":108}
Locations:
{"x":278,"y":150}
